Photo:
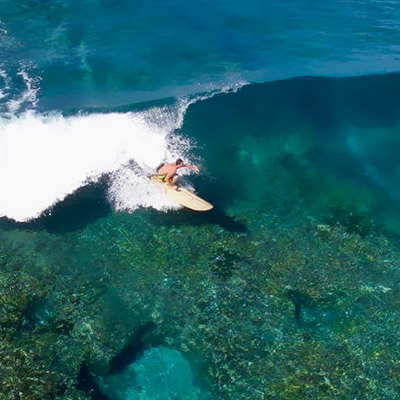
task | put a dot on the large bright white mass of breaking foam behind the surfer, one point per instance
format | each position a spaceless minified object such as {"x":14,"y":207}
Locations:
{"x":45,"y":158}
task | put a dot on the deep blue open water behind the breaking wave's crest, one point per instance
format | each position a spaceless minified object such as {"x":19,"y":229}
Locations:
{"x":100,"y":52}
